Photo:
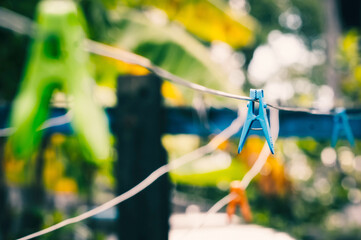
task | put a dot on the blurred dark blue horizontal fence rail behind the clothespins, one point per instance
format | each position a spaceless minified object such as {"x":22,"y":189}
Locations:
{"x":184,"y":120}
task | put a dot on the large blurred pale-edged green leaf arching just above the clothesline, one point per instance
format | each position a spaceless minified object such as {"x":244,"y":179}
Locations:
{"x":170,"y":47}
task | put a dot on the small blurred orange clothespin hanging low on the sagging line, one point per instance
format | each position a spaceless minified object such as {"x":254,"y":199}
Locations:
{"x":239,"y":197}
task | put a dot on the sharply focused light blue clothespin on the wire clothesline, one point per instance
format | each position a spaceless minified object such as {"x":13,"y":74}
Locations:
{"x":256,"y":94}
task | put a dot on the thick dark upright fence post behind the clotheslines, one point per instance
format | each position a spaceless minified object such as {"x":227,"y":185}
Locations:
{"x":138,"y":126}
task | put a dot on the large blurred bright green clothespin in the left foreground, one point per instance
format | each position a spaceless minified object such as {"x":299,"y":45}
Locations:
{"x":57,"y":60}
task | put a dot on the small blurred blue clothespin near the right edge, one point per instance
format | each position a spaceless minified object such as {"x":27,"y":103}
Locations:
{"x":340,"y":120}
